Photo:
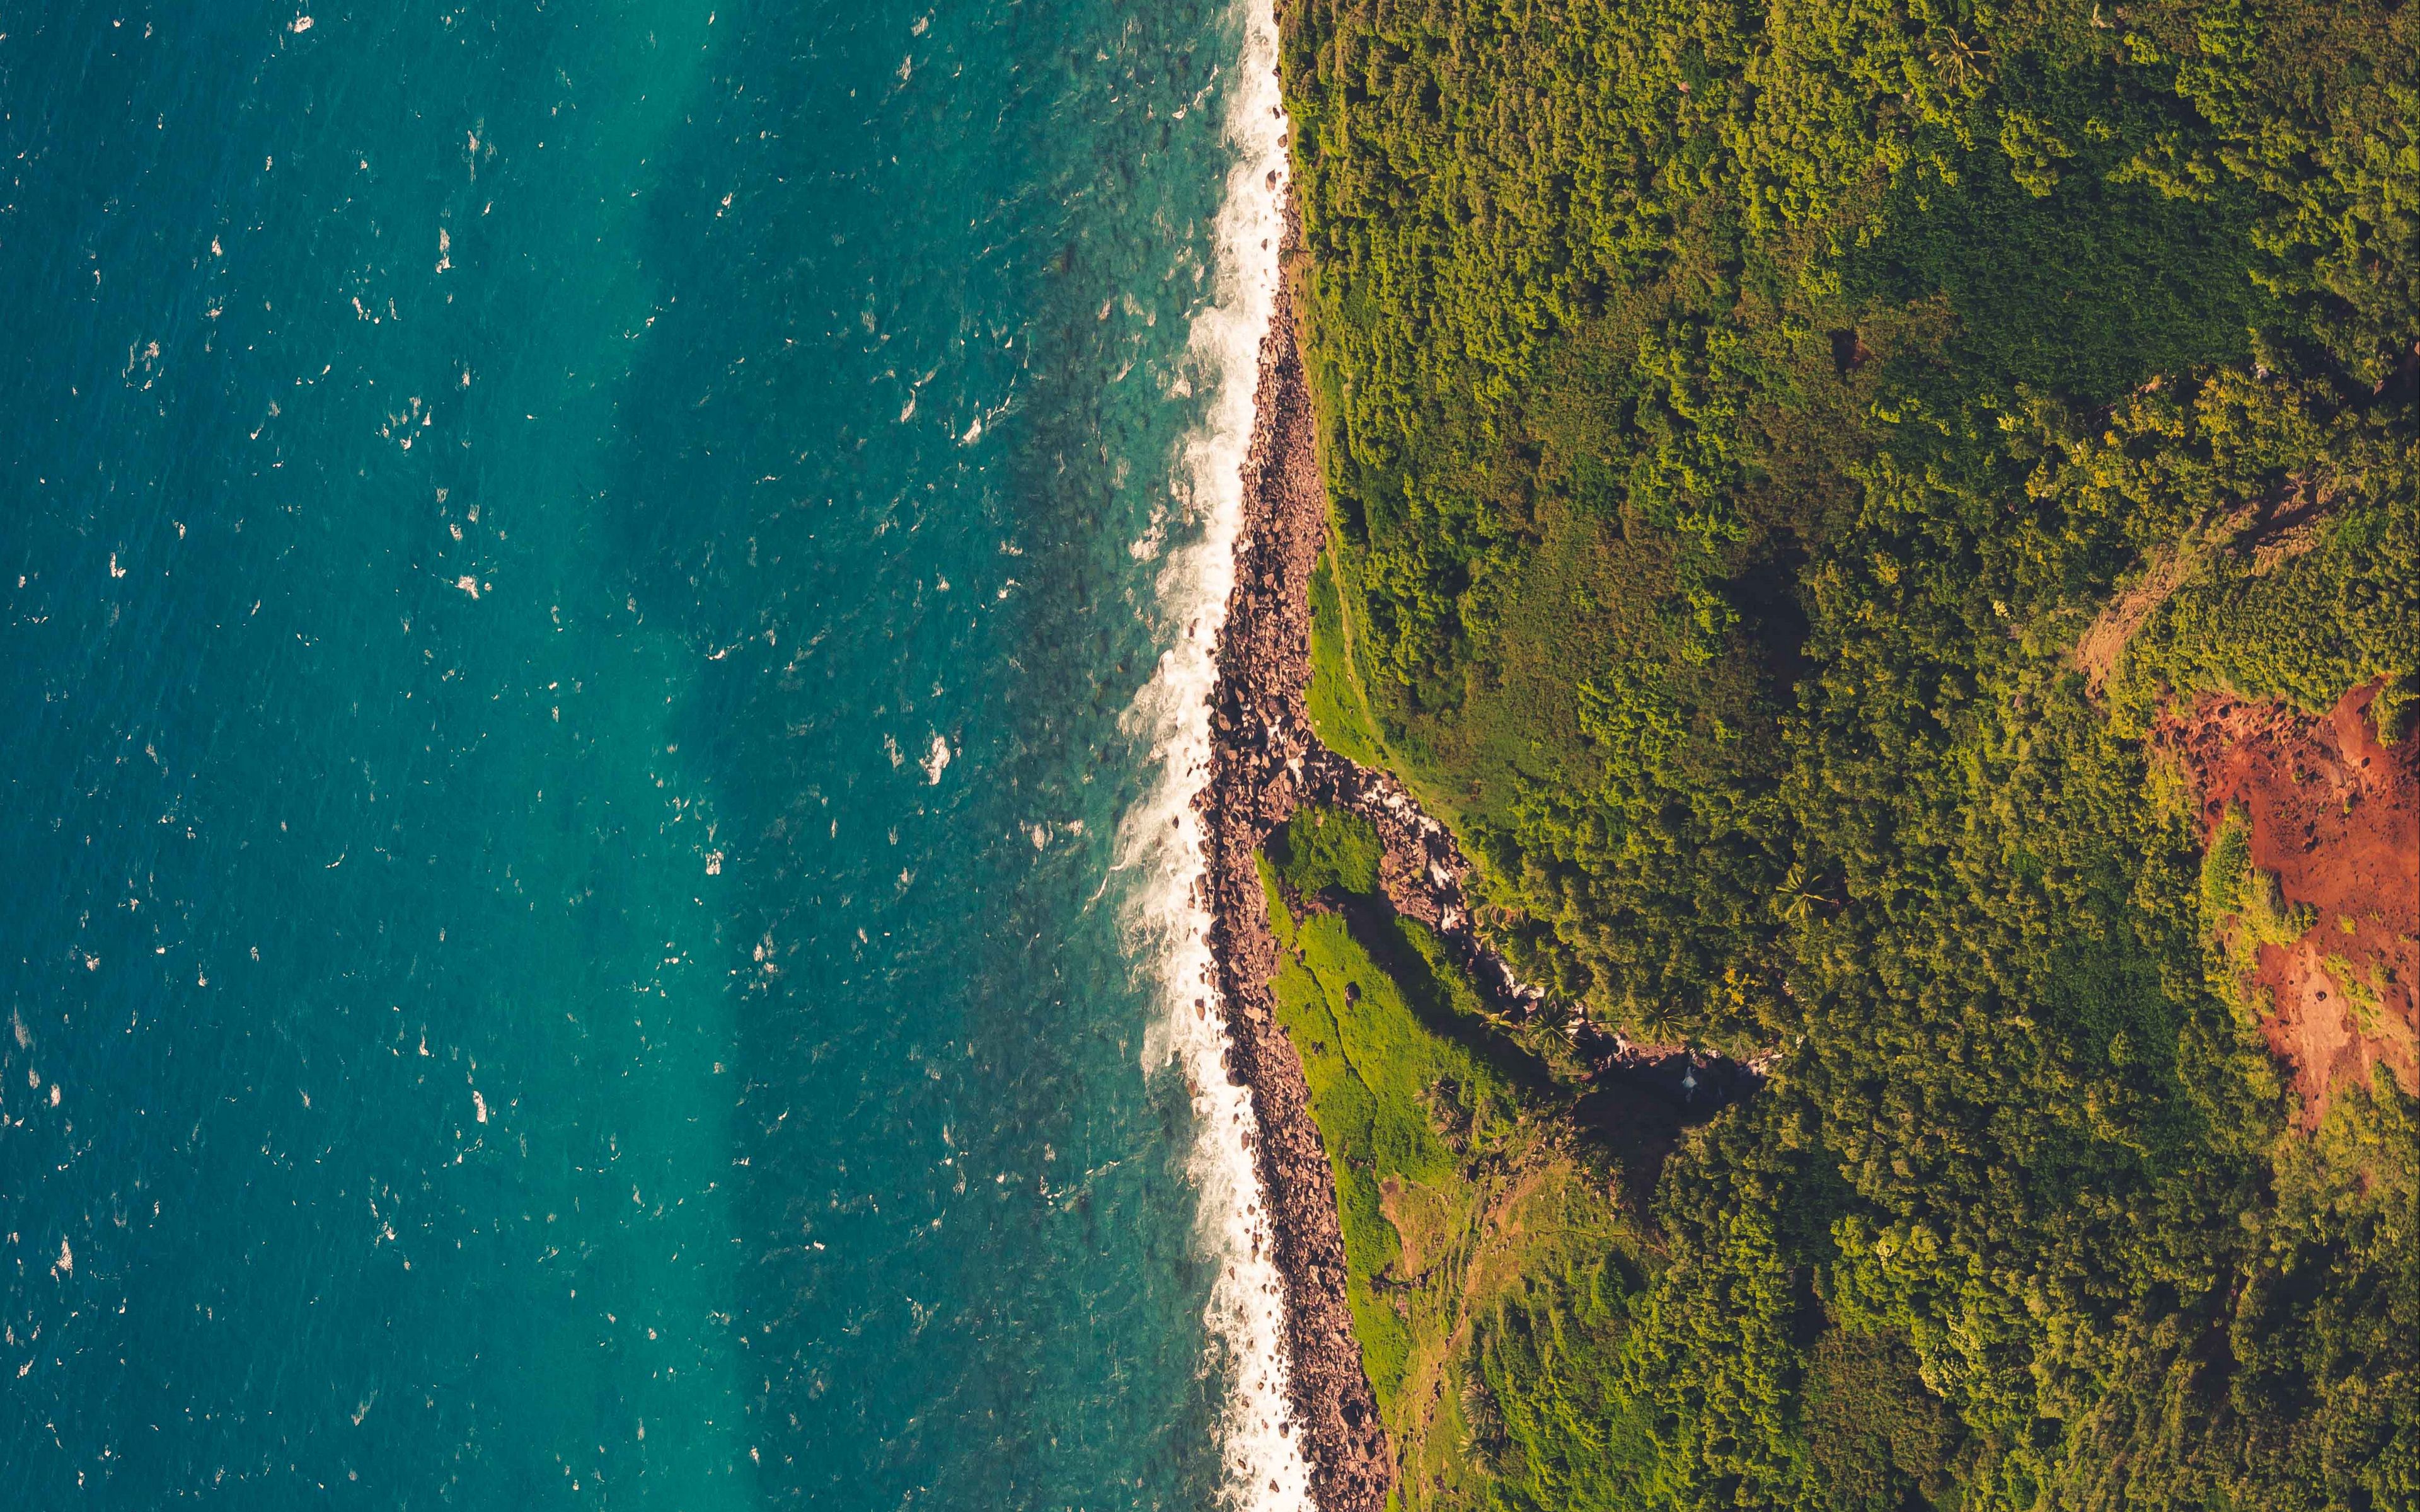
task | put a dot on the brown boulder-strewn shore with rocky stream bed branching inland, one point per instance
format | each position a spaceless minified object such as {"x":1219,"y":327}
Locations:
{"x":1264,"y":766}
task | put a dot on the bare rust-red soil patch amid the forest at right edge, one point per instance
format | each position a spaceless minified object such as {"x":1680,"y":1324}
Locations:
{"x":2337,"y":816}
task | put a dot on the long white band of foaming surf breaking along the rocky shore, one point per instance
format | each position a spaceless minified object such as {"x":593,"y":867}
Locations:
{"x":1163,"y":838}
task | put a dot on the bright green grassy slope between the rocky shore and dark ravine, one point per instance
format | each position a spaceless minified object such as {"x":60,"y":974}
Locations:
{"x":1487,"y":1257}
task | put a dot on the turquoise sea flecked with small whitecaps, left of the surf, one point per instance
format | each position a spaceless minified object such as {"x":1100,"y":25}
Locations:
{"x":577,"y":591}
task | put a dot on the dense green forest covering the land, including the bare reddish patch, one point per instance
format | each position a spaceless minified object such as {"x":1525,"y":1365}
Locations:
{"x":1811,"y":483}
